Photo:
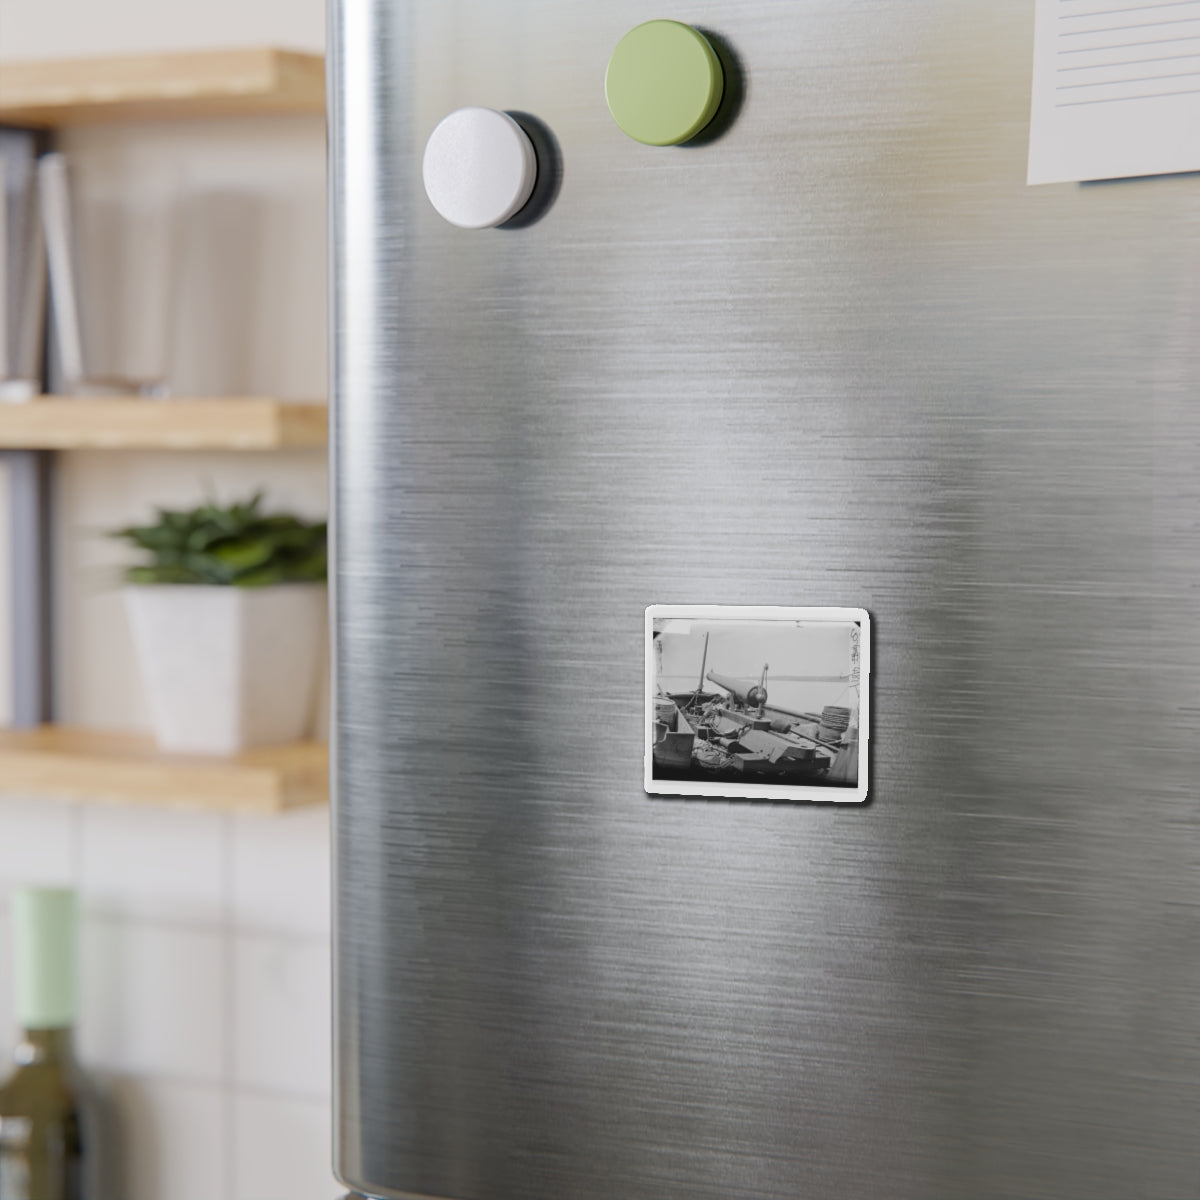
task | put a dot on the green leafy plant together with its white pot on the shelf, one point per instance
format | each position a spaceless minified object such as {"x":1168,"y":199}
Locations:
{"x":229,"y":622}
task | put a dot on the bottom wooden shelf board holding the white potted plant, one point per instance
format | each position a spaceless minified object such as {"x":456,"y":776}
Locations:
{"x":85,"y":765}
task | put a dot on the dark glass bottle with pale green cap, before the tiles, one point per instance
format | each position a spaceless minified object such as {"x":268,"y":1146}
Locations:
{"x":44,"y":1123}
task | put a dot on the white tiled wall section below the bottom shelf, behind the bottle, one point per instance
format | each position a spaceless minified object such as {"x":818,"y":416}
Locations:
{"x":205,"y":989}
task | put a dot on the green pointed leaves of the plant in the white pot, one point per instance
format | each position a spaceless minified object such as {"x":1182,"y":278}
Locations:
{"x":236,"y":547}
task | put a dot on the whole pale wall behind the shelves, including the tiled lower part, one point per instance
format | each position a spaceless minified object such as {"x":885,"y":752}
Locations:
{"x":206,"y":938}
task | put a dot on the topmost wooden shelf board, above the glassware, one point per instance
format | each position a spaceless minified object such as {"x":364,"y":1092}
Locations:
{"x":158,"y":87}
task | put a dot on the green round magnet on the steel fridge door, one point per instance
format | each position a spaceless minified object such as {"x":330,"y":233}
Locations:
{"x":664,"y":83}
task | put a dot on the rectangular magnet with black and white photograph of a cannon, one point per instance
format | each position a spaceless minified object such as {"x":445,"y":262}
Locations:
{"x":759,"y":704}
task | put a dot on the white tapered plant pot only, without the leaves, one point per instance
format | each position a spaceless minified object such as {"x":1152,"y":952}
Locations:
{"x":229,"y":669}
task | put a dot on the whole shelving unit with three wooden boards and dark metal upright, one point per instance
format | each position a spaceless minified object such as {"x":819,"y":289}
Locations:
{"x":39,"y":759}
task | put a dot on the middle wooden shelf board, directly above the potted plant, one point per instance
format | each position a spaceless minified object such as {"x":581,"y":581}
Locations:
{"x":237,"y":423}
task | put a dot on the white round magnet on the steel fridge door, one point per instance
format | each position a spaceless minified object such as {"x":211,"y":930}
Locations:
{"x":479,"y":169}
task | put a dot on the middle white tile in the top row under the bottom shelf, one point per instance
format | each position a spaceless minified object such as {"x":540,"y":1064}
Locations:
{"x":153,"y":863}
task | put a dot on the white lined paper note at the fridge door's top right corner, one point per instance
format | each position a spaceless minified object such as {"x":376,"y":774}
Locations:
{"x":1117,"y":89}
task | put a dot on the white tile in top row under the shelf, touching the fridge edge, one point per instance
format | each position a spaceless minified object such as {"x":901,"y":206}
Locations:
{"x":281,"y":873}
